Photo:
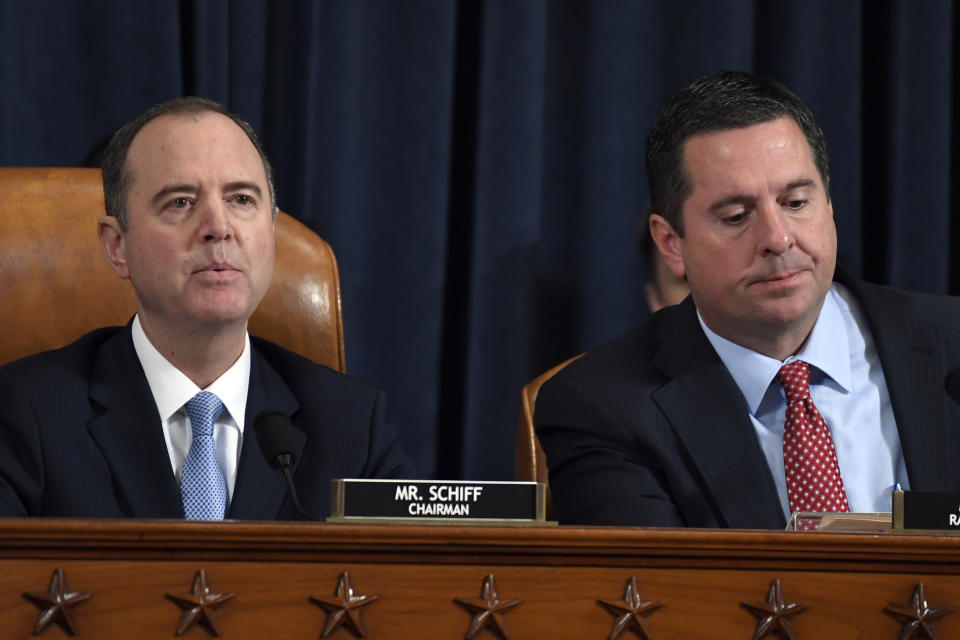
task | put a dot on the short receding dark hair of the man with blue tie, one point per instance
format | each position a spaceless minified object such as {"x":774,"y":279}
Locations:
{"x":116,"y":173}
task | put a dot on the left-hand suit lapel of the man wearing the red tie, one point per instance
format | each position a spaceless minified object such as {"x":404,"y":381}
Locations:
{"x":706,"y":409}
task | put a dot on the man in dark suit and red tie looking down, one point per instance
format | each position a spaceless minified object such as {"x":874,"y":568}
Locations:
{"x":775,"y":387}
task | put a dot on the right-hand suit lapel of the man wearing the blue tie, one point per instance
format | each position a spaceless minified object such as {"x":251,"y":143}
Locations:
{"x":260,"y":489}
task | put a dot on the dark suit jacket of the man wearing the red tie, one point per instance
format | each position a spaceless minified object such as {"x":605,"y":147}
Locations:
{"x":651,"y":429}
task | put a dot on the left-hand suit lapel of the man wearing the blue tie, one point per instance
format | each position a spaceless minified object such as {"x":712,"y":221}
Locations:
{"x":129,"y":434}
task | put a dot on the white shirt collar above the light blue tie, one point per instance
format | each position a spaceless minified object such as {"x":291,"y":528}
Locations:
{"x":172,"y":389}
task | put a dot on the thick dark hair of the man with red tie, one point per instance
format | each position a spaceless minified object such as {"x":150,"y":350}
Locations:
{"x":722,"y":100}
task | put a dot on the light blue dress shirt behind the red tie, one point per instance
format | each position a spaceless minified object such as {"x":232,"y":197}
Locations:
{"x":848,"y":388}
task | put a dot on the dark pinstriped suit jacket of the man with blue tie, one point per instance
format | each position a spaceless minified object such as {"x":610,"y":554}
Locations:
{"x":80,"y":435}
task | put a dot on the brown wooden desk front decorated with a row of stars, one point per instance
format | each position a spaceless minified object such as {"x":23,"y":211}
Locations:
{"x":702,"y":577}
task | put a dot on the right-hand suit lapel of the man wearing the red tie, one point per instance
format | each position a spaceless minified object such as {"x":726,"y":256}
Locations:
{"x":912,"y":352}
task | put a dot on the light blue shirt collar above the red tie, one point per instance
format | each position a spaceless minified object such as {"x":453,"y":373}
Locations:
{"x":826,"y":348}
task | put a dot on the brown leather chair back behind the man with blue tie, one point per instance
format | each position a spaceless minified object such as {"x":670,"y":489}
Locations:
{"x":56,"y":285}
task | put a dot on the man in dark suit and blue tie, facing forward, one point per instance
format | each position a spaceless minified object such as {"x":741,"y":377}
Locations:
{"x":155,"y":419}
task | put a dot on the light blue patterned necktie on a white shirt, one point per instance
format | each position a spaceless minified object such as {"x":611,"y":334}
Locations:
{"x":202,"y":486}
